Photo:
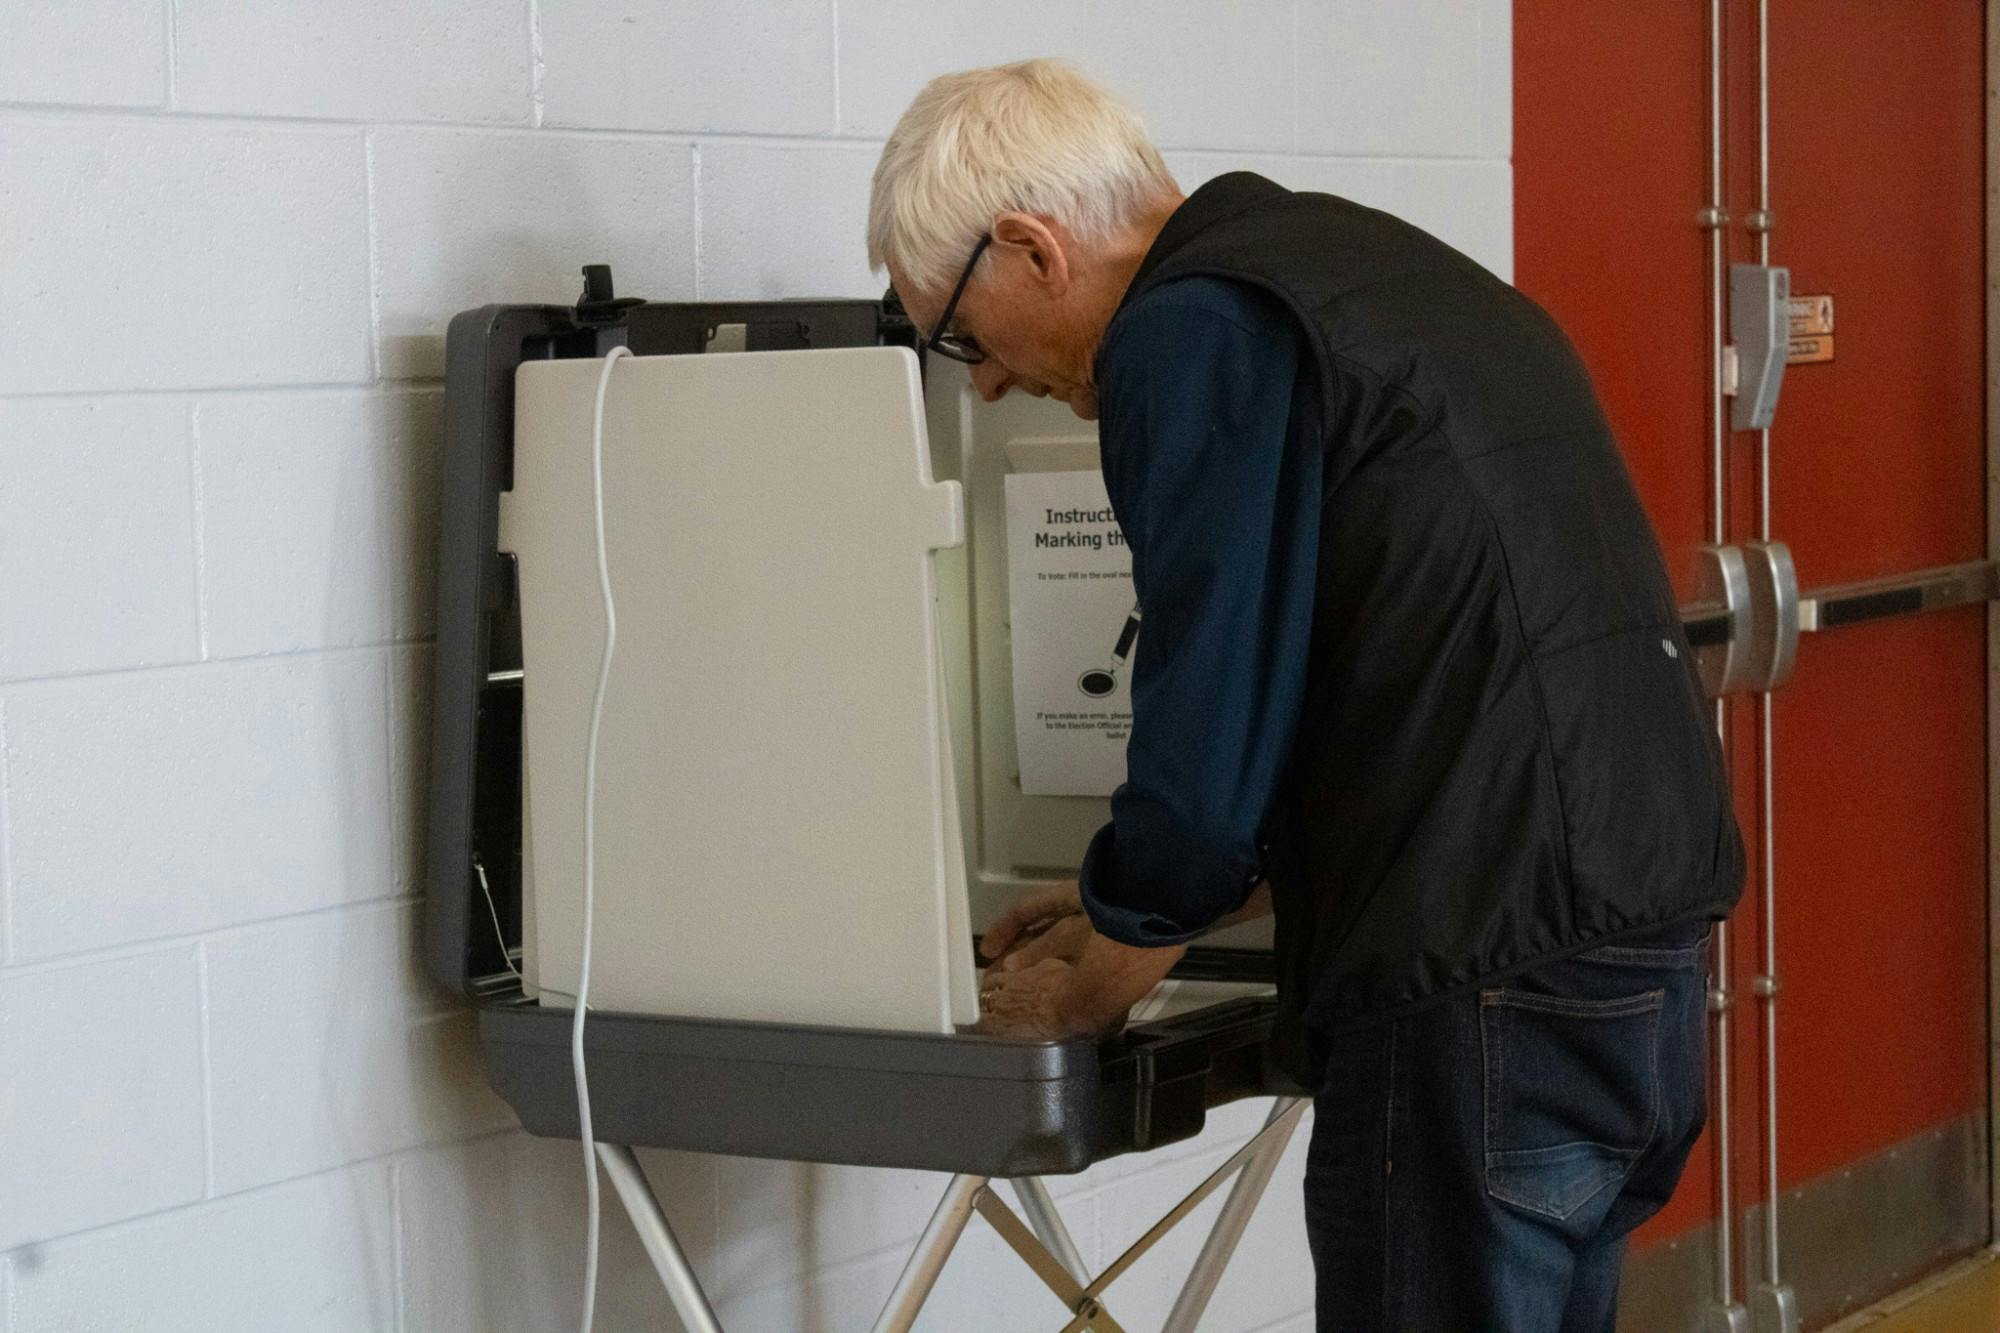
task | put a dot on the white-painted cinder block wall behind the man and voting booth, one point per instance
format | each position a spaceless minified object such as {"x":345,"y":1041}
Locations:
{"x":231,"y":239}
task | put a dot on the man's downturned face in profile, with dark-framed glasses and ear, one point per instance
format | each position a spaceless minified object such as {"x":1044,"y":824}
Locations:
{"x":1017,"y":311}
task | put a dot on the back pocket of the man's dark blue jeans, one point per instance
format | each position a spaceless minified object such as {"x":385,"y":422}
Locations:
{"x":1571,"y":1096}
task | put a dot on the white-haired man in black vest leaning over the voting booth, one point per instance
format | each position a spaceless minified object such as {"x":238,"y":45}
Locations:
{"x":1411,"y":676}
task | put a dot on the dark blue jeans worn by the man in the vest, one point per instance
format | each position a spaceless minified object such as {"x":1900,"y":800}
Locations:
{"x":1475,"y":1168}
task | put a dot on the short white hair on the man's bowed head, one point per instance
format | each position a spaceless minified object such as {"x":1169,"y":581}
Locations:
{"x":1033,"y":137}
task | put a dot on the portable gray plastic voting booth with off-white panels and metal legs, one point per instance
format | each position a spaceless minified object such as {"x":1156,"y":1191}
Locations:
{"x":807,"y":786}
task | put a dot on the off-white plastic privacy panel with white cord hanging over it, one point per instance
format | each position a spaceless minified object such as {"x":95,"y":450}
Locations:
{"x":777,"y":826}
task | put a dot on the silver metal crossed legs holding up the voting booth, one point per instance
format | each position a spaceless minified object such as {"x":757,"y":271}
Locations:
{"x":1041,"y":1242}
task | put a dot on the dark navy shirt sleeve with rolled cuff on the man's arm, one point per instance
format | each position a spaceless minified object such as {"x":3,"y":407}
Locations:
{"x":1213,"y":465}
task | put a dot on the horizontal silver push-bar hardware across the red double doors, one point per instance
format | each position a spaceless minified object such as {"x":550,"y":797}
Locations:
{"x":1749,"y":611}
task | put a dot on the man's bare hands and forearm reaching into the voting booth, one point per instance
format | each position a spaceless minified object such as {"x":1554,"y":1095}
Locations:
{"x":1055,"y":978}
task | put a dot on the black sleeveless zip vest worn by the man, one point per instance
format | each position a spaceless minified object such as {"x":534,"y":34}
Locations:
{"x":1505,"y":754}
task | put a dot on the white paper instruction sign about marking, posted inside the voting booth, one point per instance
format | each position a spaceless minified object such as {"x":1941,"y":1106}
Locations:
{"x":1073,"y":625}
